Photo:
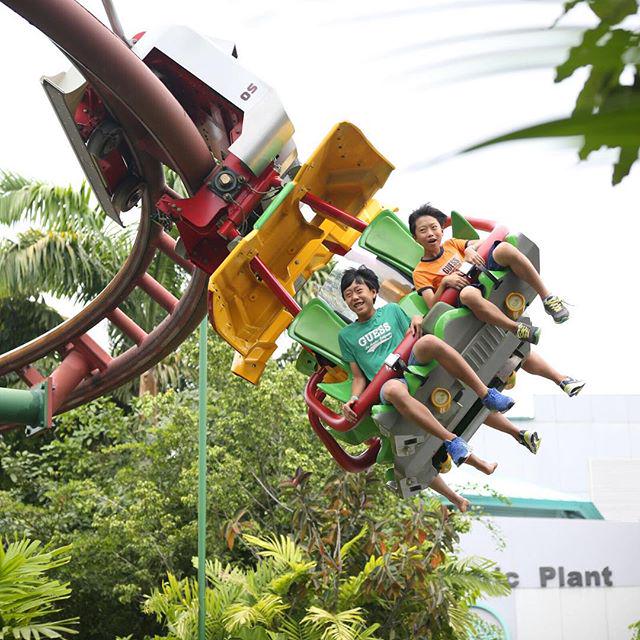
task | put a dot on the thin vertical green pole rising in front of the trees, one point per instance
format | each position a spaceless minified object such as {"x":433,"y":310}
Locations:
{"x":202,"y":478}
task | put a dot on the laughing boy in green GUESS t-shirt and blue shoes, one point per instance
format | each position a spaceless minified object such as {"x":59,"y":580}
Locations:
{"x":366,"y":343}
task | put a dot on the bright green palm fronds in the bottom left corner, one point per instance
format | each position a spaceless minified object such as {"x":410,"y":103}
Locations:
{"x":28,"y":597}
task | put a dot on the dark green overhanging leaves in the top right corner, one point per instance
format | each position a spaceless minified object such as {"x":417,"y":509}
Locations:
{"x":607,"y":109}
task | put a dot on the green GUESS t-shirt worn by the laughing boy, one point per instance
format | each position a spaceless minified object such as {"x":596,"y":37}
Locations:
{"x":369,"y":343}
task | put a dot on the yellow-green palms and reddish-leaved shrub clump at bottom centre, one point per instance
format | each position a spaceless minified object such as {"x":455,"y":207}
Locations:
{"x":396,"y":578}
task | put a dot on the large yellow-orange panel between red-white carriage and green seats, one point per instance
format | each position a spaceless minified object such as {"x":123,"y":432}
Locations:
{"x":346,"y":171}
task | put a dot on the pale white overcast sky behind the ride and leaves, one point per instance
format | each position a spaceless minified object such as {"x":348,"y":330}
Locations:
{"x":385,"y":68}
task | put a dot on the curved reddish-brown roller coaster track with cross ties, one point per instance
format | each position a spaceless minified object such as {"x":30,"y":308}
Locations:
{"x":159,"y":131}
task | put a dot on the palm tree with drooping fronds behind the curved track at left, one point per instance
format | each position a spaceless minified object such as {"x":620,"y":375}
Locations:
{"x":73,"y":252}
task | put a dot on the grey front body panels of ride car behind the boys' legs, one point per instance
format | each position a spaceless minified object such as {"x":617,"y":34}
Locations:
{"x":490,"y":351}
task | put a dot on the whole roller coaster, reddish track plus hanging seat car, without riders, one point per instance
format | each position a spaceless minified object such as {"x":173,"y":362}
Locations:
{"x":175,"y":98}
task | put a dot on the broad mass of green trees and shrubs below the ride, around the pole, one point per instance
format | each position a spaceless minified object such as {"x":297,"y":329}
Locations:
{"x":119,"y":484}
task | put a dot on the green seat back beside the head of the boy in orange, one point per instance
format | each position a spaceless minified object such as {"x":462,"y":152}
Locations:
{"x":388,"y":237}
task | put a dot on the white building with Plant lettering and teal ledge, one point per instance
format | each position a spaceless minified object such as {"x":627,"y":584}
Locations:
{"x":572,"y":529}
